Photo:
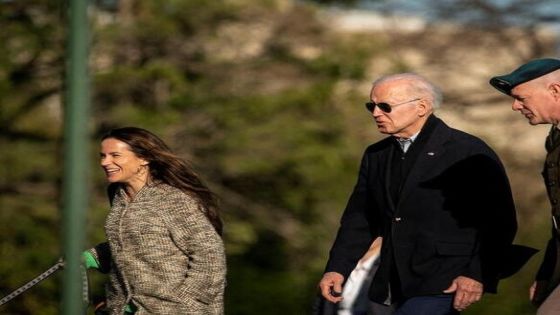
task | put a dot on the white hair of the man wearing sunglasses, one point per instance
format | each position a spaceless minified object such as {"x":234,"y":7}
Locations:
{"x":417,"y":84}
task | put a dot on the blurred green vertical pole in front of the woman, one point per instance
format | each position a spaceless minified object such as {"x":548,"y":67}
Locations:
{"x":76,"y":153}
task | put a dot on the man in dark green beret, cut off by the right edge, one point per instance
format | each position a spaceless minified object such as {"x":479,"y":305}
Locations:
{"x":535,"y":89}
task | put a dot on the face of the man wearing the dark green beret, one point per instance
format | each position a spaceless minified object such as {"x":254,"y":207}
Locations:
{"x":535,"y":101}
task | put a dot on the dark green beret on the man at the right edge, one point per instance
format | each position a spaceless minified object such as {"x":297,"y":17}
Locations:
{"x":527,"y":72}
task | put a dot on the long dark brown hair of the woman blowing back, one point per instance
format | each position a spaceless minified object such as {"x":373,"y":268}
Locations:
{"x":167,"y":167}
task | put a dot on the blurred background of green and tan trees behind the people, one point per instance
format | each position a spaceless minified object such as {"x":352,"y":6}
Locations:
{"x":265,"y":97}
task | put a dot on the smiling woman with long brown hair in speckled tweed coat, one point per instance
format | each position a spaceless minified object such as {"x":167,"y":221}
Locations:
{"x":164,"y":251}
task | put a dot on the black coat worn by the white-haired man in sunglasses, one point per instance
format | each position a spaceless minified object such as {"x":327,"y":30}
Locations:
{"x":455,"y":215}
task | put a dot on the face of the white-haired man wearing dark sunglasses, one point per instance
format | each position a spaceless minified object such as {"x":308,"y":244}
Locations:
{"x":404,"y":120}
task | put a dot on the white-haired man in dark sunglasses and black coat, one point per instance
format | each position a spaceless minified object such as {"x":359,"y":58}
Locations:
{"x":440,"y":199}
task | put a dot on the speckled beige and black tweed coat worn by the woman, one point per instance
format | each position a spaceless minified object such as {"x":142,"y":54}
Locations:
{"x":162,"y":254}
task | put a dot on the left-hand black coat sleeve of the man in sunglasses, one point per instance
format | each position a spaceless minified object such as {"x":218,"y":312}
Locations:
{"x":357,"y":229}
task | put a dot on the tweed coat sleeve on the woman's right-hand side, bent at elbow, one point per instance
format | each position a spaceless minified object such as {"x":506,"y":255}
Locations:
{"x":196,"y":237}
